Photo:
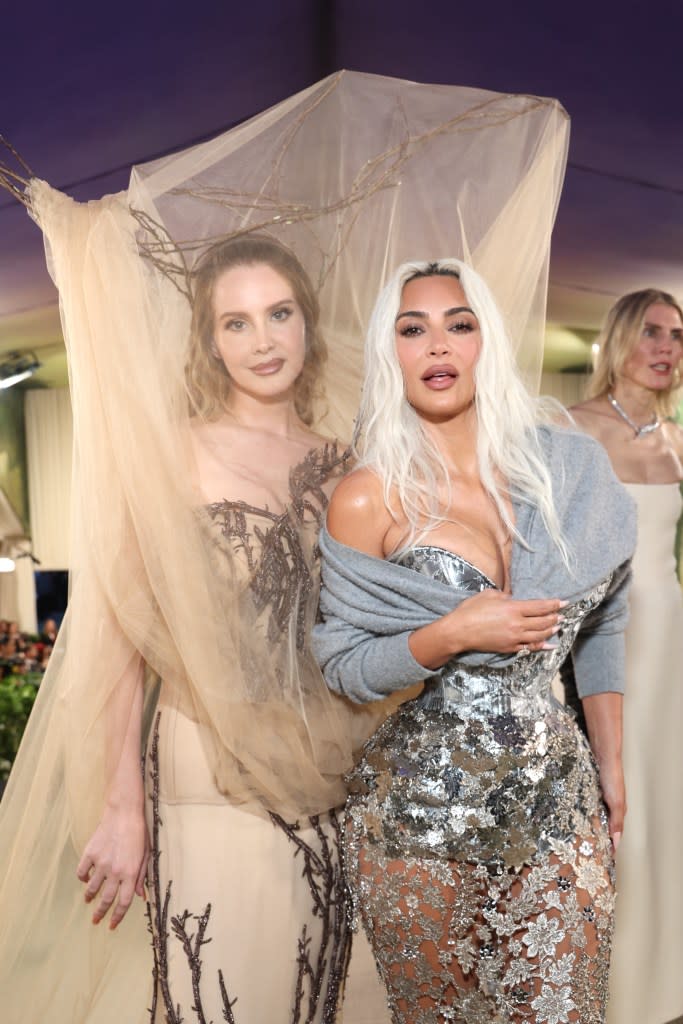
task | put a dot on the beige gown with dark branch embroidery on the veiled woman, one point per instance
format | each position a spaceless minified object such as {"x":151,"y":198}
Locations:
{"x":249,"y":914}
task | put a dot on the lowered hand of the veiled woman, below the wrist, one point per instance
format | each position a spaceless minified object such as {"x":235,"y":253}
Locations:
{"x":115,"y":863}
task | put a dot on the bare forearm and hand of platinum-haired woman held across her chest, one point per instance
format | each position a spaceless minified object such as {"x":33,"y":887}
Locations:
{"x":490,"y":622}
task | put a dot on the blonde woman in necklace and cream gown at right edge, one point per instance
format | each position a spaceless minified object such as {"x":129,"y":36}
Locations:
{"x":634,"y":392}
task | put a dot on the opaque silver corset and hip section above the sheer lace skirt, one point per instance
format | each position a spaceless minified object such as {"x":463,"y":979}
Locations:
{"x":486,"y":765}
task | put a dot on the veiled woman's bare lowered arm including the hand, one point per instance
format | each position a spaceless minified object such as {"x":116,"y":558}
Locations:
{"x":114,"y":863}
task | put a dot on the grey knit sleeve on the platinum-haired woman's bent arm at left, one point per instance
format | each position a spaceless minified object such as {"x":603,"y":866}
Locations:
{"x":363,"y":666}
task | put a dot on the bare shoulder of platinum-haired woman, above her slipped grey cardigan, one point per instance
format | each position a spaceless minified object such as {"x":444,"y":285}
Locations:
{"x":358,"y":516}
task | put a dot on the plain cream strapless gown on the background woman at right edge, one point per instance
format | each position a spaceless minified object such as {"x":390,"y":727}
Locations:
{"x":647,"y":979}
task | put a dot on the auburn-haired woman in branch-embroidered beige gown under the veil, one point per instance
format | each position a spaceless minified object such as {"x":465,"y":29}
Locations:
{"x":216,"y":868}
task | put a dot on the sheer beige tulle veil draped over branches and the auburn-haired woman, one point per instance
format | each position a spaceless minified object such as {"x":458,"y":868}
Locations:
{"x":356,"y":175}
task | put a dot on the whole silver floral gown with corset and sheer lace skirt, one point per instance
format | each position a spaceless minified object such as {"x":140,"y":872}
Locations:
{"x":478,"y":848}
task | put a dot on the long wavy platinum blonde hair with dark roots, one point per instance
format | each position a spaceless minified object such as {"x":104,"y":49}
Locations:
{"x":393,"y":441}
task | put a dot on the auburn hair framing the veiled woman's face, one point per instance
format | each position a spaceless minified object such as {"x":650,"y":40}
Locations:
{"x":207,"y":379}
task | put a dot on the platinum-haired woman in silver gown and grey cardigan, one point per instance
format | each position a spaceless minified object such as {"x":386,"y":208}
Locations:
{"x":476,"y":547}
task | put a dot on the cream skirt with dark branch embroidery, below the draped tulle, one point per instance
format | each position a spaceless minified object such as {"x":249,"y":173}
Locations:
{"x":249,"y":914}
